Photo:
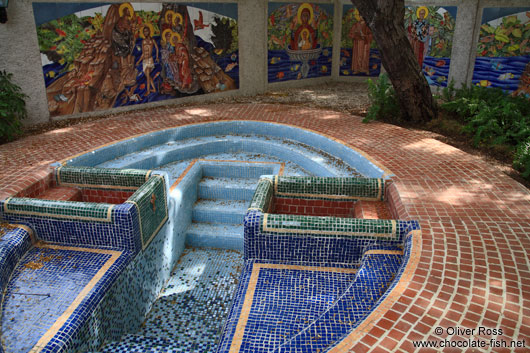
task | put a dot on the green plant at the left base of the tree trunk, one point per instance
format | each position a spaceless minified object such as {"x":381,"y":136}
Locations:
{"x":385,"y":105}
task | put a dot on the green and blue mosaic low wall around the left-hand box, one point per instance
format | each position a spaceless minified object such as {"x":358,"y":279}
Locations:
{"x":128,"y":226}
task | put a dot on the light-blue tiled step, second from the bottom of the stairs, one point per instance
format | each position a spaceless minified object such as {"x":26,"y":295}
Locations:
{"x":220,"y":211}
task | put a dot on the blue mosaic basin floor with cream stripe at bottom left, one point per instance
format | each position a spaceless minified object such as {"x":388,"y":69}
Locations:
{"x":44,"y":284}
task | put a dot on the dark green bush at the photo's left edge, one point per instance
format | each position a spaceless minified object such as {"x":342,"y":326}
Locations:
{"x":12,"y":107}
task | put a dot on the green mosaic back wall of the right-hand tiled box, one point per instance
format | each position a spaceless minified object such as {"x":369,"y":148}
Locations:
{"x":349,"y":188}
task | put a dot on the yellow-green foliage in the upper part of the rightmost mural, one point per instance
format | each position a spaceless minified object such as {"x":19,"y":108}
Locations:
{"x":510,"y":38}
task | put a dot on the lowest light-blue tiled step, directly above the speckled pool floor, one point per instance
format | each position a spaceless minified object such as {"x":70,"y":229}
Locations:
{"x":211,"y":235}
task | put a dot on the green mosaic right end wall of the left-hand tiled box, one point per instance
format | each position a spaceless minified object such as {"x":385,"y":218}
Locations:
{"x":150,"y":200}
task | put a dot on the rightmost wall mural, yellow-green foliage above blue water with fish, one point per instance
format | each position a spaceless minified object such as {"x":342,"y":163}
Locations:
{"x":503,"y":51}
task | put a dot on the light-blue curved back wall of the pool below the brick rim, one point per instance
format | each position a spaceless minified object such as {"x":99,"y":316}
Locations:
{"x":347,"y":155}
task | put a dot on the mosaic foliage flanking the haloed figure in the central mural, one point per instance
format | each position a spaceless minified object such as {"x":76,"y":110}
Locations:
{"x":282,"y":23}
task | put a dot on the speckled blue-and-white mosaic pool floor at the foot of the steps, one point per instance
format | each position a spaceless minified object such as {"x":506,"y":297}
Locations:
{"x":192,"y":307}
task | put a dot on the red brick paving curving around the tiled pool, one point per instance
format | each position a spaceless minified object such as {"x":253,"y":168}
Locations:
{"x":474,"y":270}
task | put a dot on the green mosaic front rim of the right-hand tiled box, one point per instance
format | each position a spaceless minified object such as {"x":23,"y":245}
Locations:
{"x":332,"y":226}
